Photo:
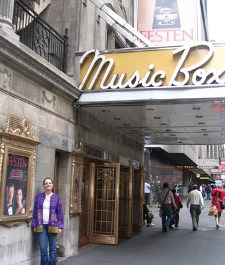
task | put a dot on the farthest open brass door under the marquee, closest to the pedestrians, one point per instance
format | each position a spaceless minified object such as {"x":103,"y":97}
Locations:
{"x":138,"y":199}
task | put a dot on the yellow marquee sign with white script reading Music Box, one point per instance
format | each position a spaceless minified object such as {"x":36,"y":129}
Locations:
{"x":193,"y":65}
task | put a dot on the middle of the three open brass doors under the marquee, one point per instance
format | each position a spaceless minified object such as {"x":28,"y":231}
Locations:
{"x":125,"y":205}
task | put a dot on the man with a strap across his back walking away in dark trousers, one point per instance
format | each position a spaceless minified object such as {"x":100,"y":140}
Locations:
{"x":166,"y":201}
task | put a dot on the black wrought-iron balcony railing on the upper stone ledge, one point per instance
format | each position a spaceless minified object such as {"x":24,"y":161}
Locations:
{"x":39,"y":36}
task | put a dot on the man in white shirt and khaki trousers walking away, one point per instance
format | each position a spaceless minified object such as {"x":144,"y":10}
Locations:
{"x":196,"y":202}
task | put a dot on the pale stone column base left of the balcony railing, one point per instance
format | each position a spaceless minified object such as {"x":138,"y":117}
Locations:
{"x":6,"y":17}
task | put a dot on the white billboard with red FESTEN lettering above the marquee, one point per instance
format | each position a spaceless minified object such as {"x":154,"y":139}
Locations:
{"x":168,"y":22}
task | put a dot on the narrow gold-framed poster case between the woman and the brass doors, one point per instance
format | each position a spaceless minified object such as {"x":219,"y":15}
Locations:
{"x":76,"y":185}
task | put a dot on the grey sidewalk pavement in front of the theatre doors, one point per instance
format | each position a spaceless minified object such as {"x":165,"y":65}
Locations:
{"x":178,"y":246}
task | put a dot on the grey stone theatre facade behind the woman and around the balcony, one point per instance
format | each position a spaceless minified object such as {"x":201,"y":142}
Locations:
{"x":33,"y":88}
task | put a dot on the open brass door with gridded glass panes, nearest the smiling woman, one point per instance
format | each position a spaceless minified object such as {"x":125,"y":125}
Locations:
{"x":104,"y":203}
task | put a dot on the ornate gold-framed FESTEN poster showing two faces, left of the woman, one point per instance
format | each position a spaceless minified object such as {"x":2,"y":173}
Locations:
{"x":17,"y":155}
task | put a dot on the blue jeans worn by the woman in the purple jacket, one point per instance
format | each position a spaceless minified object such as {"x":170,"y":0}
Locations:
{"x":47,"y":244}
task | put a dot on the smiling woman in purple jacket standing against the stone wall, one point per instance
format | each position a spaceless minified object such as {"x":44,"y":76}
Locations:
{"x":47,"y":222}
